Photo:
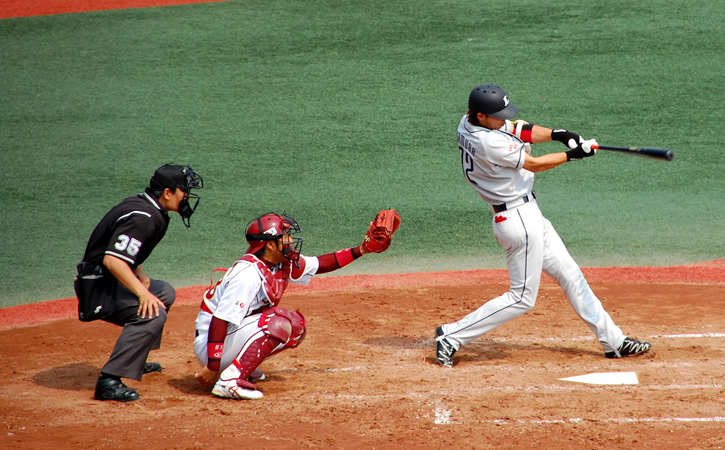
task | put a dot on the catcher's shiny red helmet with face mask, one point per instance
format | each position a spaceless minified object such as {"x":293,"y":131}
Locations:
{"x":270,"y":227}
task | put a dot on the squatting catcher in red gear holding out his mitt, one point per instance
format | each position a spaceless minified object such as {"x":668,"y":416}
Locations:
{"x":240,"y":324}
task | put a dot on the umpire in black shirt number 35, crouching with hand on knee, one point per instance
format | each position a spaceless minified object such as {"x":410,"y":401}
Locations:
{"x":111,"y":284}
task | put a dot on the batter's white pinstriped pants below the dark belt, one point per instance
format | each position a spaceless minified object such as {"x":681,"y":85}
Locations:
{"x":532,"y":245}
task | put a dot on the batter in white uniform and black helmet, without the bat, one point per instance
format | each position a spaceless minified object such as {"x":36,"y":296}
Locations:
{"x":497,"y":163}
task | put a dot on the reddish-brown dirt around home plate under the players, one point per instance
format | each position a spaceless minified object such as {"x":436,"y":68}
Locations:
{"x":365,"y":377}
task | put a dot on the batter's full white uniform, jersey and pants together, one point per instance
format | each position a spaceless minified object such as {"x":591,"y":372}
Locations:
{"x":493,"y":163}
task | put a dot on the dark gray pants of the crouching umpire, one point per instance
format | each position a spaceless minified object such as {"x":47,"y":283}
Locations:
{"x":139,"y":335}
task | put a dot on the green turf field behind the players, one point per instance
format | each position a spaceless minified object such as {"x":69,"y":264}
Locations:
{"x":333,"y":110}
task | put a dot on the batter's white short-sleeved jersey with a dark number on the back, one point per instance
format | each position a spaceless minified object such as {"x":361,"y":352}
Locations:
{"x":493,"y":162}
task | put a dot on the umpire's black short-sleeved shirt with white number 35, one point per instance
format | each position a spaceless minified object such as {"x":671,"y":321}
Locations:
{"x":129,"y":231}
